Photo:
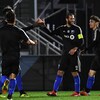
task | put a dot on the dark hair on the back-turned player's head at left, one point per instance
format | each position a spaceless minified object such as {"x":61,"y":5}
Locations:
{"x":10,"y":16}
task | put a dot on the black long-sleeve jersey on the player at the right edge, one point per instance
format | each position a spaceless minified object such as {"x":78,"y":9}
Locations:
{"x":96,"y":41}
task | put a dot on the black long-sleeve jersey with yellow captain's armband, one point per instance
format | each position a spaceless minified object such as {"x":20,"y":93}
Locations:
{"x":72,"y":36}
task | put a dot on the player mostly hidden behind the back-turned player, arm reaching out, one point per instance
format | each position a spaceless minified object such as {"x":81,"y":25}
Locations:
{"x":18,"y":78}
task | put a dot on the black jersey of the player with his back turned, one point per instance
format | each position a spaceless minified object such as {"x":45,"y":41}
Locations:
{"x":10,"y":39}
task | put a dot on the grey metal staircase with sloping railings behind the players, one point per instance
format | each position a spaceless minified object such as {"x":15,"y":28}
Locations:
{"x":43,"y":44}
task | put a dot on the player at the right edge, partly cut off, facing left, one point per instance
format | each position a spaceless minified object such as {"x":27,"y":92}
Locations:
{"x":95,"y":66}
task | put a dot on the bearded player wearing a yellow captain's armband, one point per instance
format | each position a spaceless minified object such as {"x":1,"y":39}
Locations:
{"x":72,"y":40}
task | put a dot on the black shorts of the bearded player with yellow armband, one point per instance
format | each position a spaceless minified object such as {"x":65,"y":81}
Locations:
{"x":69,"y":62}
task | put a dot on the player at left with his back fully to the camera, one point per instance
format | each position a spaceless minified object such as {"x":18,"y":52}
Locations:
{"x":10,"y":39}
